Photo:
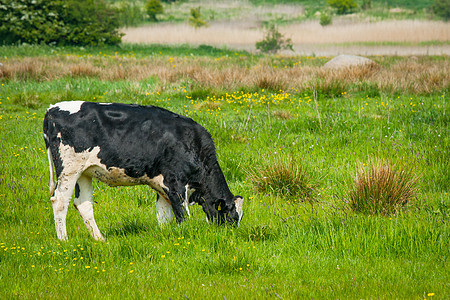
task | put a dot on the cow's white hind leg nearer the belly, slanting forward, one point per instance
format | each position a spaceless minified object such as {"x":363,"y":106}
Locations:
{"x":84,"y":204}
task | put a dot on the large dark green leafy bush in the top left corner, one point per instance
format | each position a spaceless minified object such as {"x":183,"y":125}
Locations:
{"x":83,"y":22}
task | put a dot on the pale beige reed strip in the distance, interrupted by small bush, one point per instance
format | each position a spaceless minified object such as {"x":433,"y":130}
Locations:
{"x":236,"y":33}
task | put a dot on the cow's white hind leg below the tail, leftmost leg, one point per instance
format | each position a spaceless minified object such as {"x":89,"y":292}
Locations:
{"x":60,"y":203}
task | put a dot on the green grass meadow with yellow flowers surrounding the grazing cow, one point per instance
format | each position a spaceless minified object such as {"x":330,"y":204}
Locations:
{"x":257,"y":108}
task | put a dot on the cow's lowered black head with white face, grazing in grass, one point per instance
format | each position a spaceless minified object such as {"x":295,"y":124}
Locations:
{"x":224,"y":211}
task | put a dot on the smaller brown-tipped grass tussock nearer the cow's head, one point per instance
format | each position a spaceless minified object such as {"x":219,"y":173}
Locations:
{"x":284,"y":176}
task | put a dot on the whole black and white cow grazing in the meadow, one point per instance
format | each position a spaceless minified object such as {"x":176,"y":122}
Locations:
{"x":123,"y":144}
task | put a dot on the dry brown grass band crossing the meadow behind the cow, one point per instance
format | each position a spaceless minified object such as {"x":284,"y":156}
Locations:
{"x":421,"y":75}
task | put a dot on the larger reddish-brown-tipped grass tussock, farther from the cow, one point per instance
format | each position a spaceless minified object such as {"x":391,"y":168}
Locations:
{"x":381,"y":188}
